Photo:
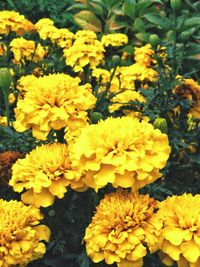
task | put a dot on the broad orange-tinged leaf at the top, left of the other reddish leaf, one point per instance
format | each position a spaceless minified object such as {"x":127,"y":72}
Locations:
{"x":88,"y":21}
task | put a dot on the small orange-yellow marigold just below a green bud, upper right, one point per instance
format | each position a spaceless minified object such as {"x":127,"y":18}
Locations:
{"x":143,"y":55}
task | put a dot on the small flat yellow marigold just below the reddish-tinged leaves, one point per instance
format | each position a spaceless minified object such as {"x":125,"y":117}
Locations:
{"x":114,"y":39}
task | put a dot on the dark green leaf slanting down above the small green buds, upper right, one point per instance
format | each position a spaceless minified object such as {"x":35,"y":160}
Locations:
{"x":160,"y":21}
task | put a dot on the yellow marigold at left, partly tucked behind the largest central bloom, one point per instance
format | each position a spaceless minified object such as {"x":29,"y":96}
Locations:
{"x":45,"y":174}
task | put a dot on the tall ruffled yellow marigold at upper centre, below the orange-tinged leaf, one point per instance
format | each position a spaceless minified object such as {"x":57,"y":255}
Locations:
{"x":84,"y":51}
